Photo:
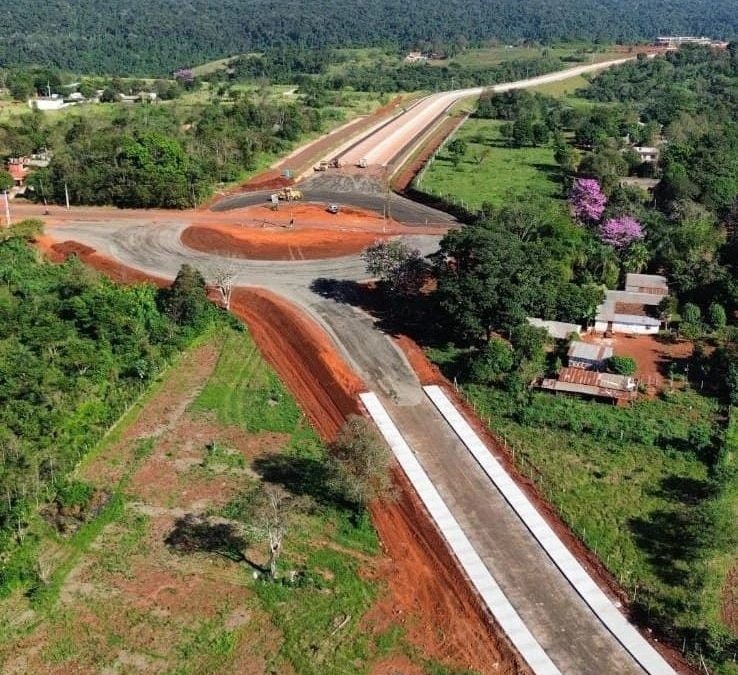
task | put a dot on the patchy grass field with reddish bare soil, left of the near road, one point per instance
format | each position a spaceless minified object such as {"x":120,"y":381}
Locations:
{"x":121,"y":599}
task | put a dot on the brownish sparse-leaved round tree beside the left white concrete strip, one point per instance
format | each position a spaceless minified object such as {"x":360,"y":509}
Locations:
{"x":358,"y":463}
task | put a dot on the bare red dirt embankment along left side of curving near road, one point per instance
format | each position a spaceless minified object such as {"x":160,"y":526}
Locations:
{"x":427,"y":592}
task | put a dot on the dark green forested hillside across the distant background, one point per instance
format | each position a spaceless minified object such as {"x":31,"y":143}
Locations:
{"x":156,"y":36}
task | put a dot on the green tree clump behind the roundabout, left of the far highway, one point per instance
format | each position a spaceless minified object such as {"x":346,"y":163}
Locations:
{"x":153,"y":155}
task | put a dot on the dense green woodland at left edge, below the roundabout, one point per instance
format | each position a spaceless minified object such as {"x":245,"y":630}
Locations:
{"x":76,"y":350}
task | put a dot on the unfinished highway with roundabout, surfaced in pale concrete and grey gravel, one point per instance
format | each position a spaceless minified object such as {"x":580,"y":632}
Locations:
{"x":553,"y":613}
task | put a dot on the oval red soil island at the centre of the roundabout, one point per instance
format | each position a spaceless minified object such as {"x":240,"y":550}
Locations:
{"x":280,"y":245}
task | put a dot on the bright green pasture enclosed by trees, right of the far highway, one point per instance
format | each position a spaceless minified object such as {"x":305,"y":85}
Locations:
{"x":490,"y":171}
